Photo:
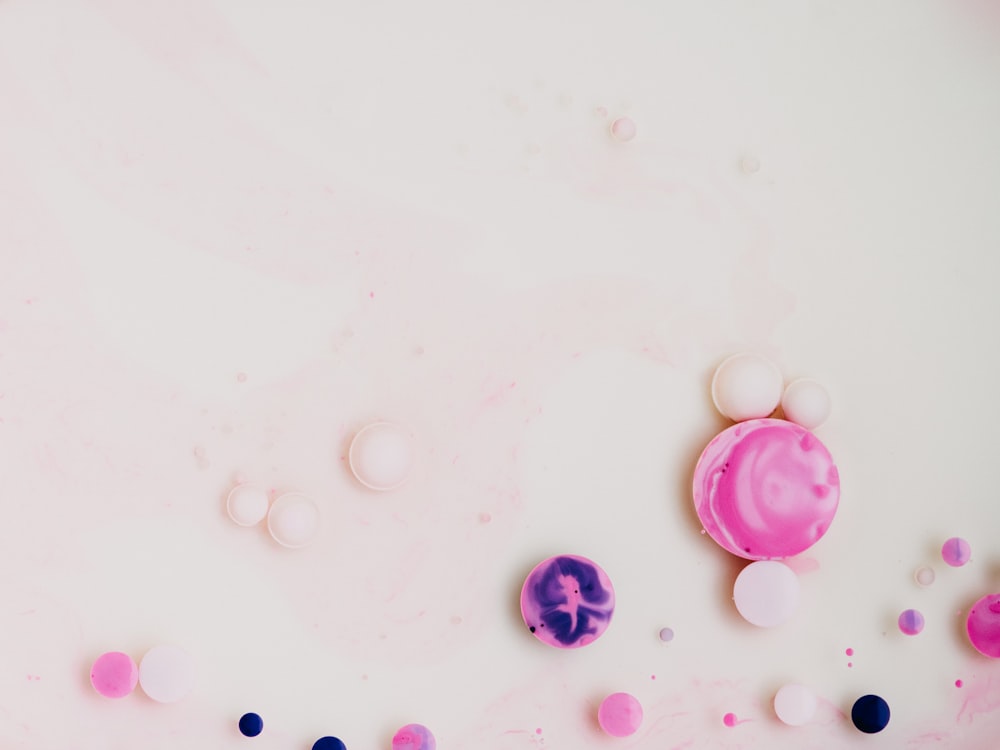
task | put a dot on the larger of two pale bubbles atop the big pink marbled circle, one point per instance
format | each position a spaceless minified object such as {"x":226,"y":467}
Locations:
{"x":746,"y":386}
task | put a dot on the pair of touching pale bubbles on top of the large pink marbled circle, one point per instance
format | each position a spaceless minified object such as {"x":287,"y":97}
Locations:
{"x":749,"y":386}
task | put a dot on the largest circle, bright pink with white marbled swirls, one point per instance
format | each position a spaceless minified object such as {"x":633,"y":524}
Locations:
{"x":766,"y":489}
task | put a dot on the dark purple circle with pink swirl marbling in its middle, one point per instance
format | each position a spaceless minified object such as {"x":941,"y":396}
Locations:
{"x":567,"y":601}
